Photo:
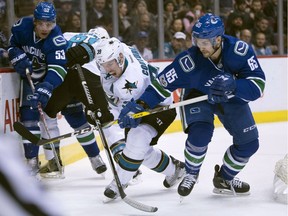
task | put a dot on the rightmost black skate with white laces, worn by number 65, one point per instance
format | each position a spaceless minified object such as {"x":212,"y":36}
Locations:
{"x":233,"y":187}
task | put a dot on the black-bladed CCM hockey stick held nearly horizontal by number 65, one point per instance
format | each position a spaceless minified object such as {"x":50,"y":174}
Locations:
{"x":20,"y":129}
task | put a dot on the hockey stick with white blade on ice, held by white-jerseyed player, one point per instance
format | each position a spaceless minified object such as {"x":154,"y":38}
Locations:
{"x":129,"y":201}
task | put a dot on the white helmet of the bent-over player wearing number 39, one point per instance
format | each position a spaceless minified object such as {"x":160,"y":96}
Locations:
{"x":109,"y":49}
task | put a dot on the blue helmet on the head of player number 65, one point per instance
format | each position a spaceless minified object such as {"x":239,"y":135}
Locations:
{"x":208,"y":26}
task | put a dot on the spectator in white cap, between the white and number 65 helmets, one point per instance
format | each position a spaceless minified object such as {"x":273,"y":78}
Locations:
{"x":176,"y":45}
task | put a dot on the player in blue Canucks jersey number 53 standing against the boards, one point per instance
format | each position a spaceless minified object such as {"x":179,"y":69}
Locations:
{"x":37,"y":44}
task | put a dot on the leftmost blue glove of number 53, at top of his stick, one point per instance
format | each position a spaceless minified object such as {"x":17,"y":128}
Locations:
{"x":20,"y":61}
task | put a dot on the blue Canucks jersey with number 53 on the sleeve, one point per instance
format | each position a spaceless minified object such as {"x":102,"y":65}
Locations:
{"x":47,"y":55}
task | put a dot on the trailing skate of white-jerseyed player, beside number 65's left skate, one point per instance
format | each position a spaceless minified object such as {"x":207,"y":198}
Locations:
{"x":170,"y":181}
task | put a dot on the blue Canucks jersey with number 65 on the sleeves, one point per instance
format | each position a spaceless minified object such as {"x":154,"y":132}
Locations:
{"x":190,"y":70}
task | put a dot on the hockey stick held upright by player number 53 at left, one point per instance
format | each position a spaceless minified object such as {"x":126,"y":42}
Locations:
{"x":42,"y":117}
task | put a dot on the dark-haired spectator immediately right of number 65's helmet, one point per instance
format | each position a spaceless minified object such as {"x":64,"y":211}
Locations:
{"x":234,"y":24}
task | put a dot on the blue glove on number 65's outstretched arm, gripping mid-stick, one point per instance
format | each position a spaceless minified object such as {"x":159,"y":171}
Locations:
{"x":125,"y":120}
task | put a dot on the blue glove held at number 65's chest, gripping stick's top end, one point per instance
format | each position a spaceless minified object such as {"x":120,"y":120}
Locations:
{"x":222,"y":86}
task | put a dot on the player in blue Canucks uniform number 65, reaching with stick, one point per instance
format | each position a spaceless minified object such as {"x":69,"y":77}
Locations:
{"x":220,"y":66}
